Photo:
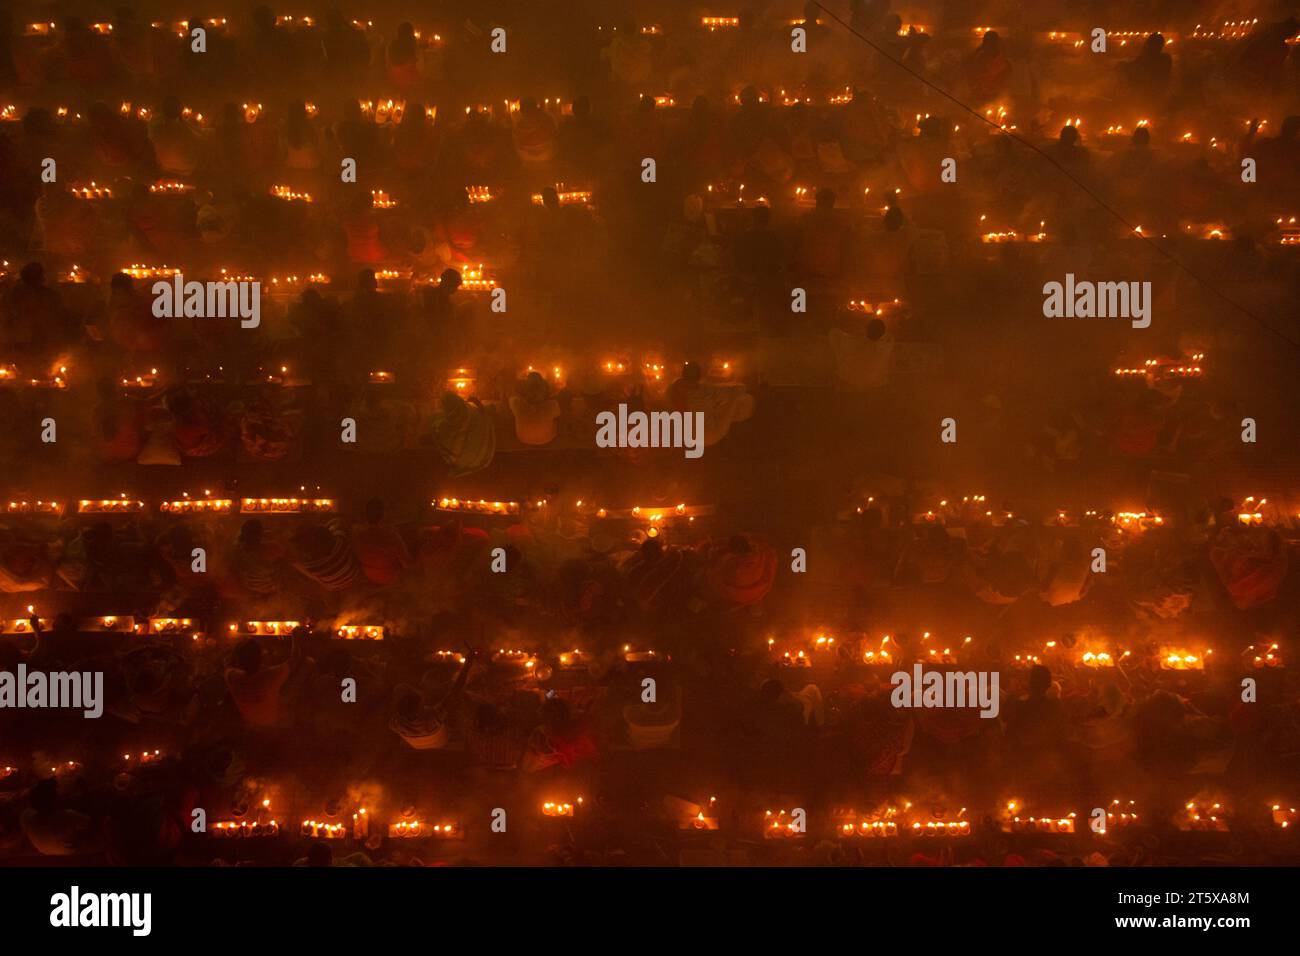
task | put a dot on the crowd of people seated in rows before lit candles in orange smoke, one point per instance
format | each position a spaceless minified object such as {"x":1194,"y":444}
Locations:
{"x":796,"y":259}
